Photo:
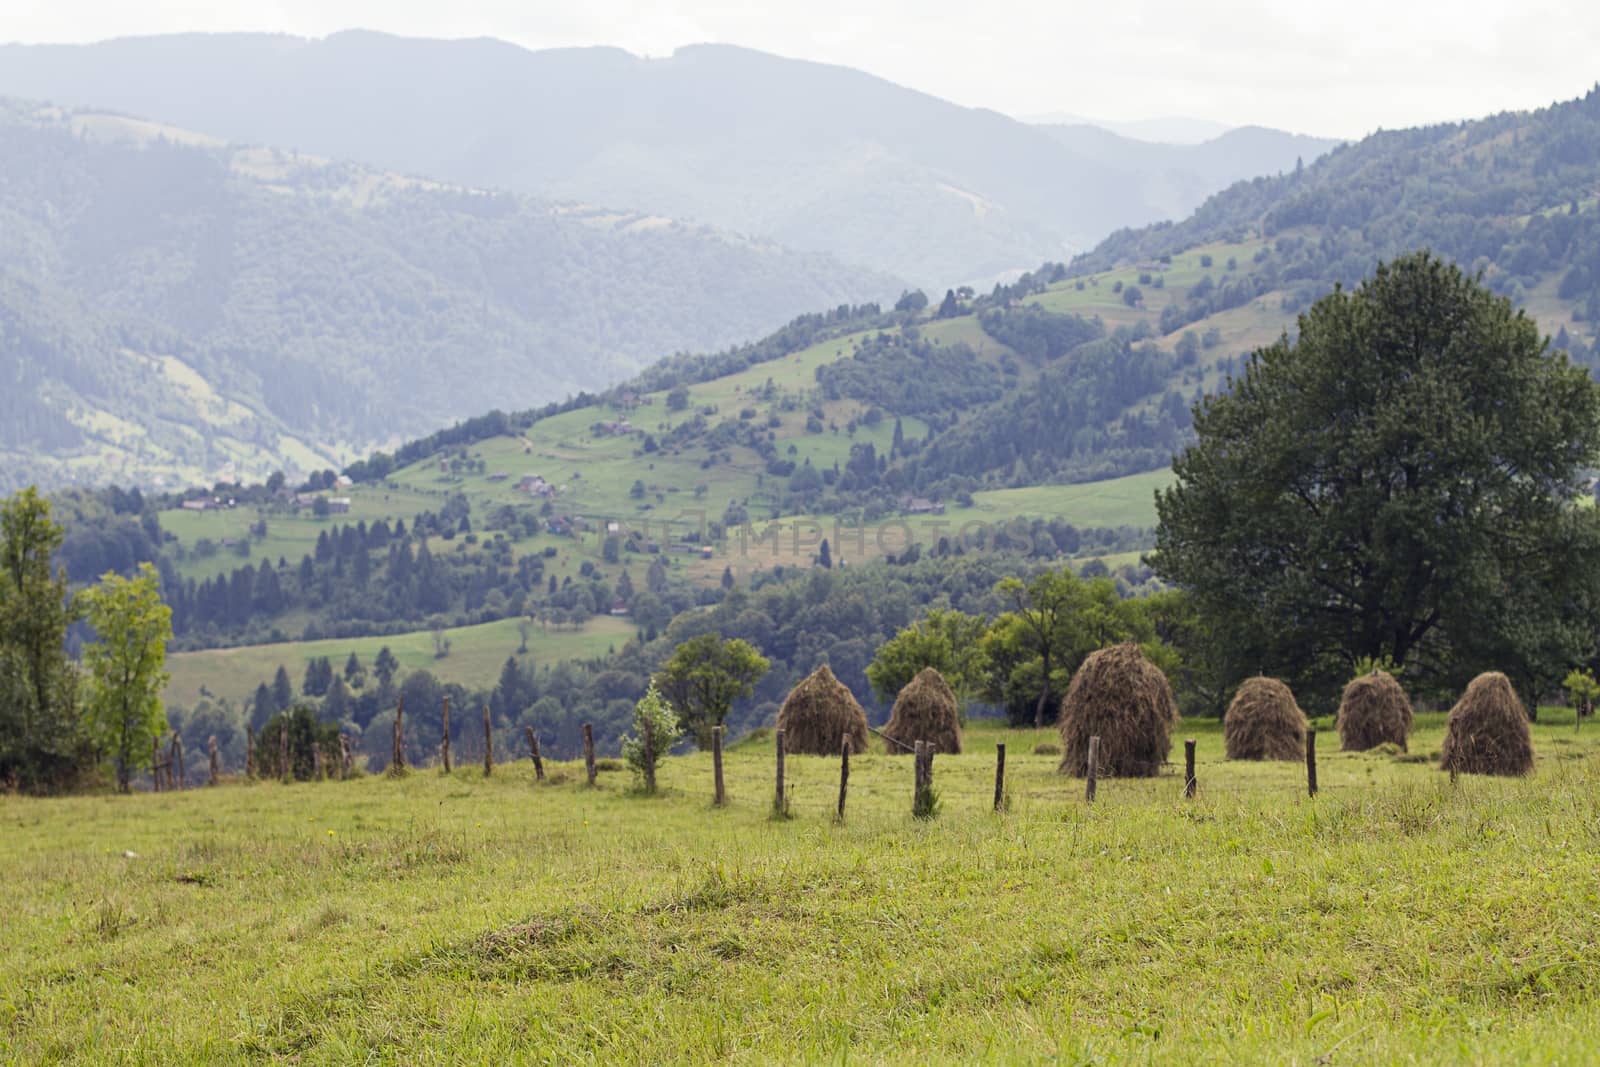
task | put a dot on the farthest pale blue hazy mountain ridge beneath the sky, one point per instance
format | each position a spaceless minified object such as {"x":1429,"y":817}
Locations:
{"x":815,"y":158}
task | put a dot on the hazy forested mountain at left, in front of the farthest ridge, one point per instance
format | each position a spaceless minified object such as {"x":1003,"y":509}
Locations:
{"x":172,"y":306}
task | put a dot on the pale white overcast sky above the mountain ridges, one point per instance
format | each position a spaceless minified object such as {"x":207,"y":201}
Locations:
{"x":1338,"y":70}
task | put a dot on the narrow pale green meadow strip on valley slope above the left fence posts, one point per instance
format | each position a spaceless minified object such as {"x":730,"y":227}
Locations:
{"x":476,"y":657}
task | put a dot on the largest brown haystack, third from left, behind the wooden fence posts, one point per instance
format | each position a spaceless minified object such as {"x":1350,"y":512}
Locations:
{"x":1127,"y":701}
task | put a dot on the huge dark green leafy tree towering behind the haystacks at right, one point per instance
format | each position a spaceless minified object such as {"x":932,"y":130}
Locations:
{"x":1402,"y":482}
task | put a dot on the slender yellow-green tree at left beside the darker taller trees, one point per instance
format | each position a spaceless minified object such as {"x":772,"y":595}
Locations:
{"x":127,"y":666}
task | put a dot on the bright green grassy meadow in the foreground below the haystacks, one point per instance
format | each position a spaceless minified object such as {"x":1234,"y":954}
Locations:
{"x":1398,"y":917}
